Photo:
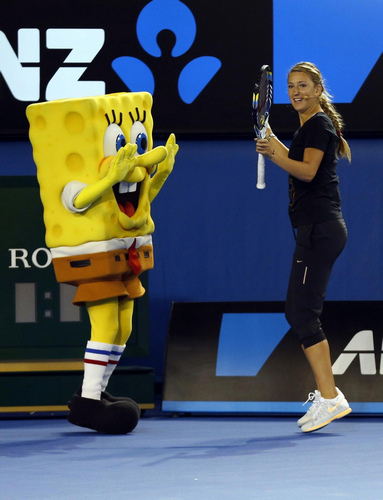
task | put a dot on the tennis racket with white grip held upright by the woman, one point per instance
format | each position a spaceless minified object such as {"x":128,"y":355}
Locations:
{"x":262,"y":96}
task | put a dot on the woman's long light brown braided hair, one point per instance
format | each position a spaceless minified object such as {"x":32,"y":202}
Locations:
{"x":325,"y":102}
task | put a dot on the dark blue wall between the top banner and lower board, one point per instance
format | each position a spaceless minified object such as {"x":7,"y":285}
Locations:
{"x":218,"y":238}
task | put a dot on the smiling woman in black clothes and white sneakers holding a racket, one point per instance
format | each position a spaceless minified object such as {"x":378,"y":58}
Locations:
{"x":319,"y":228}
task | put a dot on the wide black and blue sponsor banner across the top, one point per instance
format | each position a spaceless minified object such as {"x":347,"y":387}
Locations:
{"x":198,"y":59}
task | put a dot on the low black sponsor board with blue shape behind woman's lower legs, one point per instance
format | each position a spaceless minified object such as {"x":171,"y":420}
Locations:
{"x":241,"y":357}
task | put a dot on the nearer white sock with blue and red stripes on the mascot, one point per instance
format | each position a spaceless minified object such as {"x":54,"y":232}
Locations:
{"x":96,"y":359}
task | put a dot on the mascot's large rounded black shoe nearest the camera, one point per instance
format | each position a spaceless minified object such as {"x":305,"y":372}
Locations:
{"x":120,"y":417}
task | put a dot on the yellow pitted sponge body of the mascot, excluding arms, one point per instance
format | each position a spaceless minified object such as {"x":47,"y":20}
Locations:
{"x":67,"y":137}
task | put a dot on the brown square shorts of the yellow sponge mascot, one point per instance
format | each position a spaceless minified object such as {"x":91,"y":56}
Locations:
{"x":104,"y":275}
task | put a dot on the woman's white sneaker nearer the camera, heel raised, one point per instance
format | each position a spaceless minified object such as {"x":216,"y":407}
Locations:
{"x":326,"y":411}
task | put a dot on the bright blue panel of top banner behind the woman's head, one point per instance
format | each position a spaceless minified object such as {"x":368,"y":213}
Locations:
{"x":338,"y":43}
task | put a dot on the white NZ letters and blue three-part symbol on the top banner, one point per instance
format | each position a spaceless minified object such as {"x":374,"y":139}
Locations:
{"x":21,"y":71}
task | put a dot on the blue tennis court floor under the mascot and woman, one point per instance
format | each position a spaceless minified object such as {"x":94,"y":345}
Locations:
{"x":192,"y":457}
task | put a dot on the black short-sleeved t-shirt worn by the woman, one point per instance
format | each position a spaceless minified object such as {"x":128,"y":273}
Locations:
{"x":318,"y":200}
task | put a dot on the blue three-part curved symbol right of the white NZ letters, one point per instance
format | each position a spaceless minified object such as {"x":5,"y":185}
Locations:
{"x":175,"y":16}
